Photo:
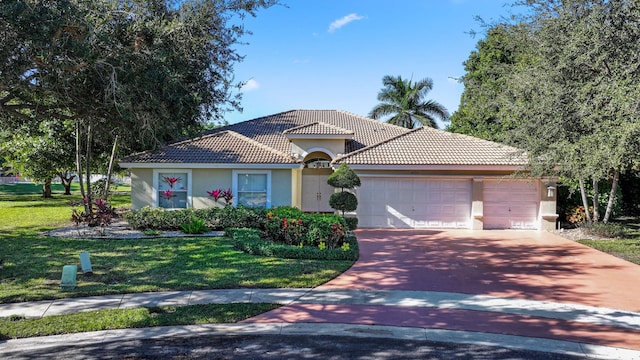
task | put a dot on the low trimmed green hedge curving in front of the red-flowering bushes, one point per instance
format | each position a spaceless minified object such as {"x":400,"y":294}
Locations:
{"x":249,"y":241}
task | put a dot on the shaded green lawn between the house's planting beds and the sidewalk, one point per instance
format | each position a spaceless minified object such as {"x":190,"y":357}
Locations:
{"x":33,"y":263}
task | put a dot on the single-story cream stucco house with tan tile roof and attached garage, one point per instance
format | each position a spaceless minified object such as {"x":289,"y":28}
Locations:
{"x":411,"y":178}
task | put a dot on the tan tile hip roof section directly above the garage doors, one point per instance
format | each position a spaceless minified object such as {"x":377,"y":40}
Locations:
{"x":428,"y":146}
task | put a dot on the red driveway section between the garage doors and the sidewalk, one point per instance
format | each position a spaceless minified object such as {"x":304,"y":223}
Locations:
{"x":533,"y":265}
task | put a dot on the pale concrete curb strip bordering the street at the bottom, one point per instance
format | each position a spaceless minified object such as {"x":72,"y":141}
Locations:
{"x":340,"y":330}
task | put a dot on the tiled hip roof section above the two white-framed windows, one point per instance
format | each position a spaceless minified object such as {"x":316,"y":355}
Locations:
{"x":218,"y":148}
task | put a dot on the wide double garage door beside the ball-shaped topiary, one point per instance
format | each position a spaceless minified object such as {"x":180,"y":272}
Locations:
{"x":414,"y":203}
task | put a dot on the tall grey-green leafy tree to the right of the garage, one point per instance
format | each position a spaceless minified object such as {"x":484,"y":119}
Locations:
{"x":571,"y":99}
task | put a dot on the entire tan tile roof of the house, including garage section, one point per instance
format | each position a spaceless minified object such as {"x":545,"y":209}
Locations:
{"x":264,"y":141}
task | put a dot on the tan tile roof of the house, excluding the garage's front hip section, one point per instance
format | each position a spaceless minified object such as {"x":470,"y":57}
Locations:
{"x":268,"y":132}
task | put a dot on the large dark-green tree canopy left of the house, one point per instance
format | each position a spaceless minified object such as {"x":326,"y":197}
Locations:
{"x":147,"y":70}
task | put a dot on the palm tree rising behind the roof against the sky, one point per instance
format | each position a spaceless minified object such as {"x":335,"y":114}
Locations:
{"x":405,"y":102}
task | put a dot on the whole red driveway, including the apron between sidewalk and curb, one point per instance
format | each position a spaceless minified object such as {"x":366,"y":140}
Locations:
{"x":516,"y":264}
